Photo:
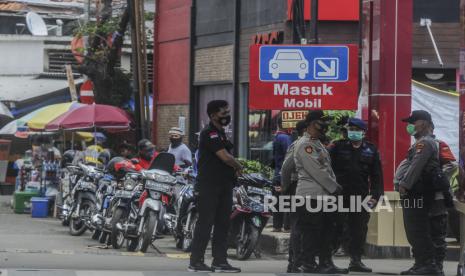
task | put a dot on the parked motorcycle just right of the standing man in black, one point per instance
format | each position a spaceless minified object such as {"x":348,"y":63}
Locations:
{"x":248,"y":216}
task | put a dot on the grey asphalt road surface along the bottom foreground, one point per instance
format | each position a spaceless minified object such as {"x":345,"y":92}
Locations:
{"x":43,"y":247}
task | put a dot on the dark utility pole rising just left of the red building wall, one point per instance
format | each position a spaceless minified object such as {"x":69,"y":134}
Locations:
{"x":139,"y":68}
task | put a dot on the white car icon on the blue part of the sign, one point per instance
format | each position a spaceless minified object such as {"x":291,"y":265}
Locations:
{"x":288,"y":61}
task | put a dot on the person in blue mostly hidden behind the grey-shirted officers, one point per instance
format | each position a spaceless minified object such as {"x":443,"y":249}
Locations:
{"x":281,"y":143}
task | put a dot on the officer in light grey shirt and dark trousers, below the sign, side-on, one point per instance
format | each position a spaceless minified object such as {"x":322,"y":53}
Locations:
{"x":315,"y":179}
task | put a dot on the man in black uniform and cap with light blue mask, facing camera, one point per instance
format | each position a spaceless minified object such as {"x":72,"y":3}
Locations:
{"x":357,"y":166}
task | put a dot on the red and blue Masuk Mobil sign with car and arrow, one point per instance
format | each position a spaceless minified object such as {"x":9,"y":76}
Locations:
{"x":303,"y":77}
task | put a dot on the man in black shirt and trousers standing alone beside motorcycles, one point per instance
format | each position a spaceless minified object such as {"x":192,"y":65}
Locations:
{"x":217,"y":170}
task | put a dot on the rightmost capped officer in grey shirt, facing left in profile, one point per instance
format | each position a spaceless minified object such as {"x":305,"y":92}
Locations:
{"x":423,"y":195}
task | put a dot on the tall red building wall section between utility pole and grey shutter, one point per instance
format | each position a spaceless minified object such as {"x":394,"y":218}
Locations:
{"x":171,"y":65}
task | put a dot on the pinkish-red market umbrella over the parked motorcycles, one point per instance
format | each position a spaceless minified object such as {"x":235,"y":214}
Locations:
{"x":92,"y":117}
